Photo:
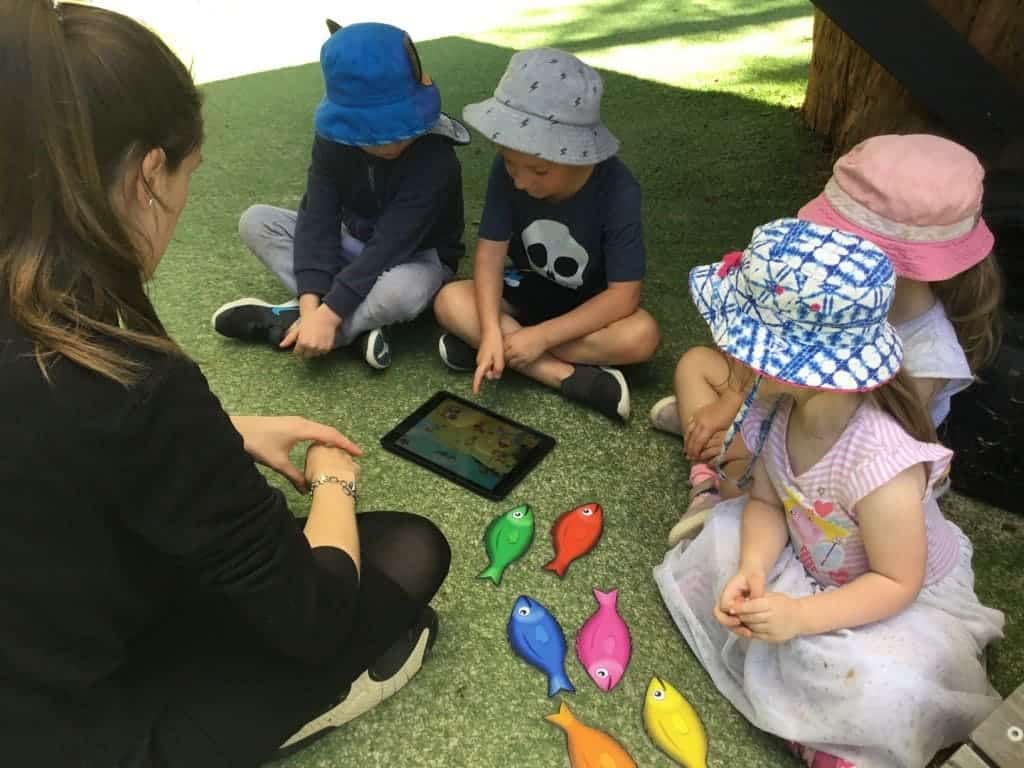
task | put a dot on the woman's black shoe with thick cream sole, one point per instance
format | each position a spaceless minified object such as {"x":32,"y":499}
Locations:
{"x":386,"y":677}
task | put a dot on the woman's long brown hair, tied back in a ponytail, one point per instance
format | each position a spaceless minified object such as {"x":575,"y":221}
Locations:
{"x":89,"y":94}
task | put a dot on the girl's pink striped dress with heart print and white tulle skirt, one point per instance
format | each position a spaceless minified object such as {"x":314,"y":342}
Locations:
{"x":884,"y":696}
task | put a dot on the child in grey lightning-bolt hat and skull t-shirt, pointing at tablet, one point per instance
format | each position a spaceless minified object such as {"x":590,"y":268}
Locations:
{"x":567,"y":210}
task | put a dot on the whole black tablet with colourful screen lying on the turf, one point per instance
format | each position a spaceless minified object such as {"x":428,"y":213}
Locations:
{"x":468,"y":445}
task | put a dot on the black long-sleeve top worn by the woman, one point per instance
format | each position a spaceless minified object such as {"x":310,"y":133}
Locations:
{"x":117,"y":505}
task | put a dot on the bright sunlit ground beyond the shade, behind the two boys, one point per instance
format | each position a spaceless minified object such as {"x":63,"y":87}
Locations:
{"x":718,"y":45}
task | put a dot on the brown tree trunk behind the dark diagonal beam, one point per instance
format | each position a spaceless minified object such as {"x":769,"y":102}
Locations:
{"x":850,"y":98}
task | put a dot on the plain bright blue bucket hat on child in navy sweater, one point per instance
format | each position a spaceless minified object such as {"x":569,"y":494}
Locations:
{"x":375,"y":91}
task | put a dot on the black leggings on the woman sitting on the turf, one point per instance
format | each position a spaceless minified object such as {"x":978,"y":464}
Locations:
{"x":228,"y":702}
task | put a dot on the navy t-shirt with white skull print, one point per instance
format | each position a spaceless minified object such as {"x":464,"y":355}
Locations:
{"x":581,"y":244}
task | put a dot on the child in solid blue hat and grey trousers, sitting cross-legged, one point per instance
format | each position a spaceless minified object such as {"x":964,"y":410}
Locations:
{"x":379,"y":230}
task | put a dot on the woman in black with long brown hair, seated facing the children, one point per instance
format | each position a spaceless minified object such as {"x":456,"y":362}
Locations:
{"x":158,"y":604}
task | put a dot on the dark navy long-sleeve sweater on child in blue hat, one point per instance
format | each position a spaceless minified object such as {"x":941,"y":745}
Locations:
{"x":398,"y":207}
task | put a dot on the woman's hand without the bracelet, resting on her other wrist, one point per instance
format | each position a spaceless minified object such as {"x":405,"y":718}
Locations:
{"x":270,"y":440}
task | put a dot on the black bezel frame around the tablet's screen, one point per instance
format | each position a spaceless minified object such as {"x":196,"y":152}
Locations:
{"x":391,"y":443}
